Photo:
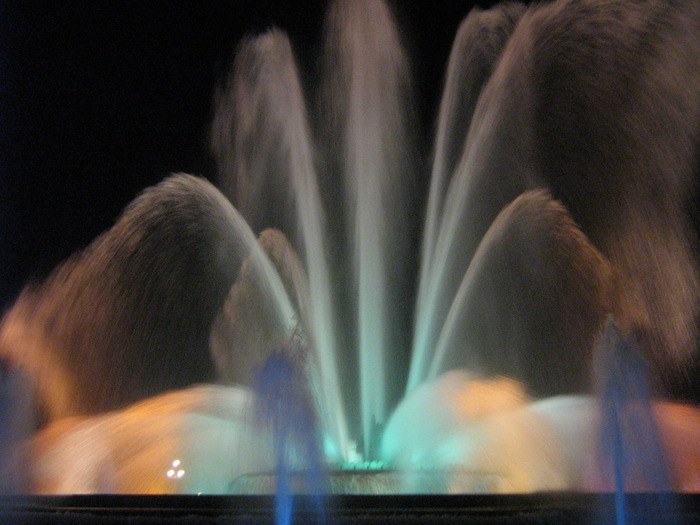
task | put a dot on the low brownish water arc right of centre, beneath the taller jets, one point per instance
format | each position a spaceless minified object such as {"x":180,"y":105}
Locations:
{"x":486,"y":322}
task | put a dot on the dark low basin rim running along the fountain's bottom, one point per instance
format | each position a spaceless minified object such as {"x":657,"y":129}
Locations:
{"x":547,"y":508}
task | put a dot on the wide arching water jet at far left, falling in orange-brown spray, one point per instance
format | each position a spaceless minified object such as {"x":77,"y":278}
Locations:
{"x":99,"y":313}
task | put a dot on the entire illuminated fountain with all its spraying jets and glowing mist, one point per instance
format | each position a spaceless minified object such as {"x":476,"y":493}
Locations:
{"x":467,"y":367}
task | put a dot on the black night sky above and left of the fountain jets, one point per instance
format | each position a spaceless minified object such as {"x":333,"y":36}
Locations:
{"x":99,"y":100}
